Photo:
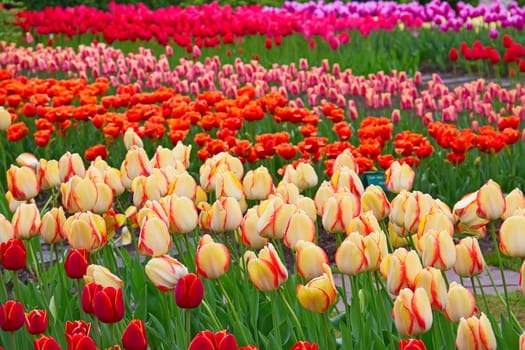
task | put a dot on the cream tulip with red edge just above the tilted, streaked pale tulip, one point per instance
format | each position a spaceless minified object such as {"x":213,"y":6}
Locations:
{"x":154,"y":237}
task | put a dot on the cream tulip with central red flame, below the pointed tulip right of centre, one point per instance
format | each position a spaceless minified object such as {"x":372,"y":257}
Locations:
{"x":339,"y":210}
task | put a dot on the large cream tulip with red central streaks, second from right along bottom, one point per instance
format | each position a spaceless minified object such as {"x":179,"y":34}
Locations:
{"x":412,"y":312}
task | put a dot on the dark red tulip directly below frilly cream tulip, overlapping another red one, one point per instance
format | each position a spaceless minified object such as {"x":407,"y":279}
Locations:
{"x":108,"y":305}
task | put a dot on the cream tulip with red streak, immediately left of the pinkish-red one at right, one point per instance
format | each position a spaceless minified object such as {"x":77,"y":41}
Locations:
{"x":438,"y":250}
